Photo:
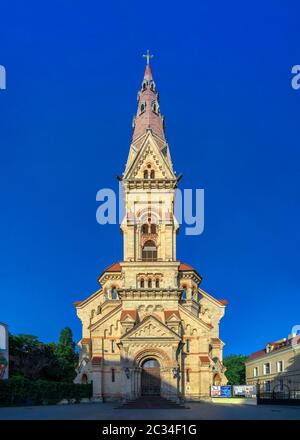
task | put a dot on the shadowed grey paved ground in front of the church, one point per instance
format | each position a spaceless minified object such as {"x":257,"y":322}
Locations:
{"x":108,"y":411}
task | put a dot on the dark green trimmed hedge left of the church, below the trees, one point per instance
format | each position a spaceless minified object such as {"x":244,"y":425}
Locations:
{"x":21,"y":391}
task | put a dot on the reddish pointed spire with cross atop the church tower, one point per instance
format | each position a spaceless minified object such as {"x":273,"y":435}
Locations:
{"x":148,"y":113}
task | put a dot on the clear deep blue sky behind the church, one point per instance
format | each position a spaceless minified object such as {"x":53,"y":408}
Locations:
{"x":223,"y":72}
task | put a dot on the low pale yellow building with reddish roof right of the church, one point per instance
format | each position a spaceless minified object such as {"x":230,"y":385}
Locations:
{"x":277,"y":366}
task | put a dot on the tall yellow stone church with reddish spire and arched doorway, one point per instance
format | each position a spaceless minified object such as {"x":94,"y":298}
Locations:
{"x":150,"y":329}
